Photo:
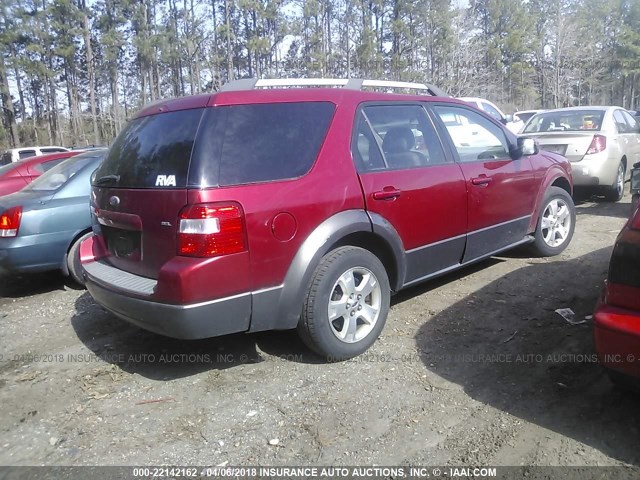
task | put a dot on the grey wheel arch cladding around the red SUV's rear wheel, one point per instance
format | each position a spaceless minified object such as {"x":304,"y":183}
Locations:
{"x":279,"y":308}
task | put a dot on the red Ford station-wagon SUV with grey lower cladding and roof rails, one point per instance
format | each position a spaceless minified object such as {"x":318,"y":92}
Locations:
{"x":274,"y":208}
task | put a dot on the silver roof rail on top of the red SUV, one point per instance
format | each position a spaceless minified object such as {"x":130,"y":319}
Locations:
{"x":350,"y":84}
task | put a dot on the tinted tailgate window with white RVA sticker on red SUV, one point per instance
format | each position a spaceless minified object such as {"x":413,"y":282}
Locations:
{"x":153,"y":151}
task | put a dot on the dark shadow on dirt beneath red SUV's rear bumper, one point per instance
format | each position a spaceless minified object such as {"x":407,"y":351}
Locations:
{"x":157,"y":357}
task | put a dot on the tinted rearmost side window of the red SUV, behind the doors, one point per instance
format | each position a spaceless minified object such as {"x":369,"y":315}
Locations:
{"x":260,"y":142}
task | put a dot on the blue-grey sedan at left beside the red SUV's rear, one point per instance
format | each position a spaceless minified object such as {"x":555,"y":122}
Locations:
{"x":42,"y":225}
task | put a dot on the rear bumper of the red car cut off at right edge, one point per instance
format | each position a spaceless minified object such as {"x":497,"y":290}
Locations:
{"x":617,"y":338}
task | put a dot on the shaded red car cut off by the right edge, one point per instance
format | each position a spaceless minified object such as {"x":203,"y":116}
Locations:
{"x":617,"y":315}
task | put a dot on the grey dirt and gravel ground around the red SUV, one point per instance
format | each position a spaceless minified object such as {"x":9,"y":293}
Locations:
{"x":473,"y":368}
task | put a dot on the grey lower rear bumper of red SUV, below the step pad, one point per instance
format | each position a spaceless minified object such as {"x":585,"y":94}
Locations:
{"x":190,"y":321}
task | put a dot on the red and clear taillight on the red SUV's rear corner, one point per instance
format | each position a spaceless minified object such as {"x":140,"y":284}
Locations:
{"x":210,"y":230}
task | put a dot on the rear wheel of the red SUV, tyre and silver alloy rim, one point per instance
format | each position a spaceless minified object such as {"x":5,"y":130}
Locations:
{"x":347,"y":304}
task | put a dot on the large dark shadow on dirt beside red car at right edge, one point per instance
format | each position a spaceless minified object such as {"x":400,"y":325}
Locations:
{"x":519,"y":356}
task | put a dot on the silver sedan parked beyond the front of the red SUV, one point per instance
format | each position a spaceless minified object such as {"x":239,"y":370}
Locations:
{"x":602,"y":143}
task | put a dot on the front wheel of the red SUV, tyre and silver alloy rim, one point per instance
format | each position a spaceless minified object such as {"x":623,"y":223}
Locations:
{"x":556,"y":224}
